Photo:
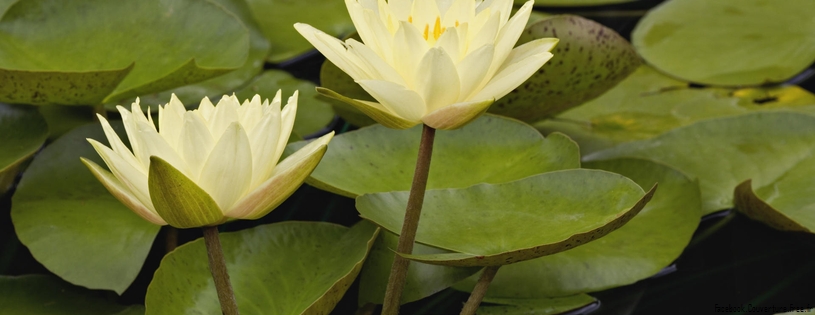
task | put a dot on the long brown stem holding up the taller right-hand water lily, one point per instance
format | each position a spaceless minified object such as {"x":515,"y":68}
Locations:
{"x":396,"y":281}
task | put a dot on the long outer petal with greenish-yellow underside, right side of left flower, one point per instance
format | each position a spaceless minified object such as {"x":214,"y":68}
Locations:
{"x":287,"y":177}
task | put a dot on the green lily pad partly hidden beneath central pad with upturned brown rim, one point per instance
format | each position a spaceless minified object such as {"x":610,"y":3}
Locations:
{"x":638,"y":250}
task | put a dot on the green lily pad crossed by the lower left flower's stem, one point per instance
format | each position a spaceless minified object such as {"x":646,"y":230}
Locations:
{"x":283,"y":268}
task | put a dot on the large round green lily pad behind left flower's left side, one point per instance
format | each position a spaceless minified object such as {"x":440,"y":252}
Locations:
{"x":72,"y":224}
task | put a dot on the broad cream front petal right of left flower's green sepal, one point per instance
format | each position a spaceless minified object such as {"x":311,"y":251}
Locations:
{"x":227,"y":173}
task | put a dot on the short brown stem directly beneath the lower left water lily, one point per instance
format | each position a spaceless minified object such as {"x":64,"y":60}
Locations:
{"x":217,"y":265}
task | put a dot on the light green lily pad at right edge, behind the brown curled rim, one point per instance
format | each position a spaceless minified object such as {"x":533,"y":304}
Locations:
{"x":724,"y":152}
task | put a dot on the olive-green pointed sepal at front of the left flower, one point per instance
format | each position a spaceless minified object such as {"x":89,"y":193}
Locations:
{"x":178,"y":200}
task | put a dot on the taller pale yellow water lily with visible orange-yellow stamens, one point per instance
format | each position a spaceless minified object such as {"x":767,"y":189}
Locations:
{"x":441,"y":63}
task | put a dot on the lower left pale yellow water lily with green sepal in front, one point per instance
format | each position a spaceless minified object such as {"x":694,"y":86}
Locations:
{"x":205,"y":166}
